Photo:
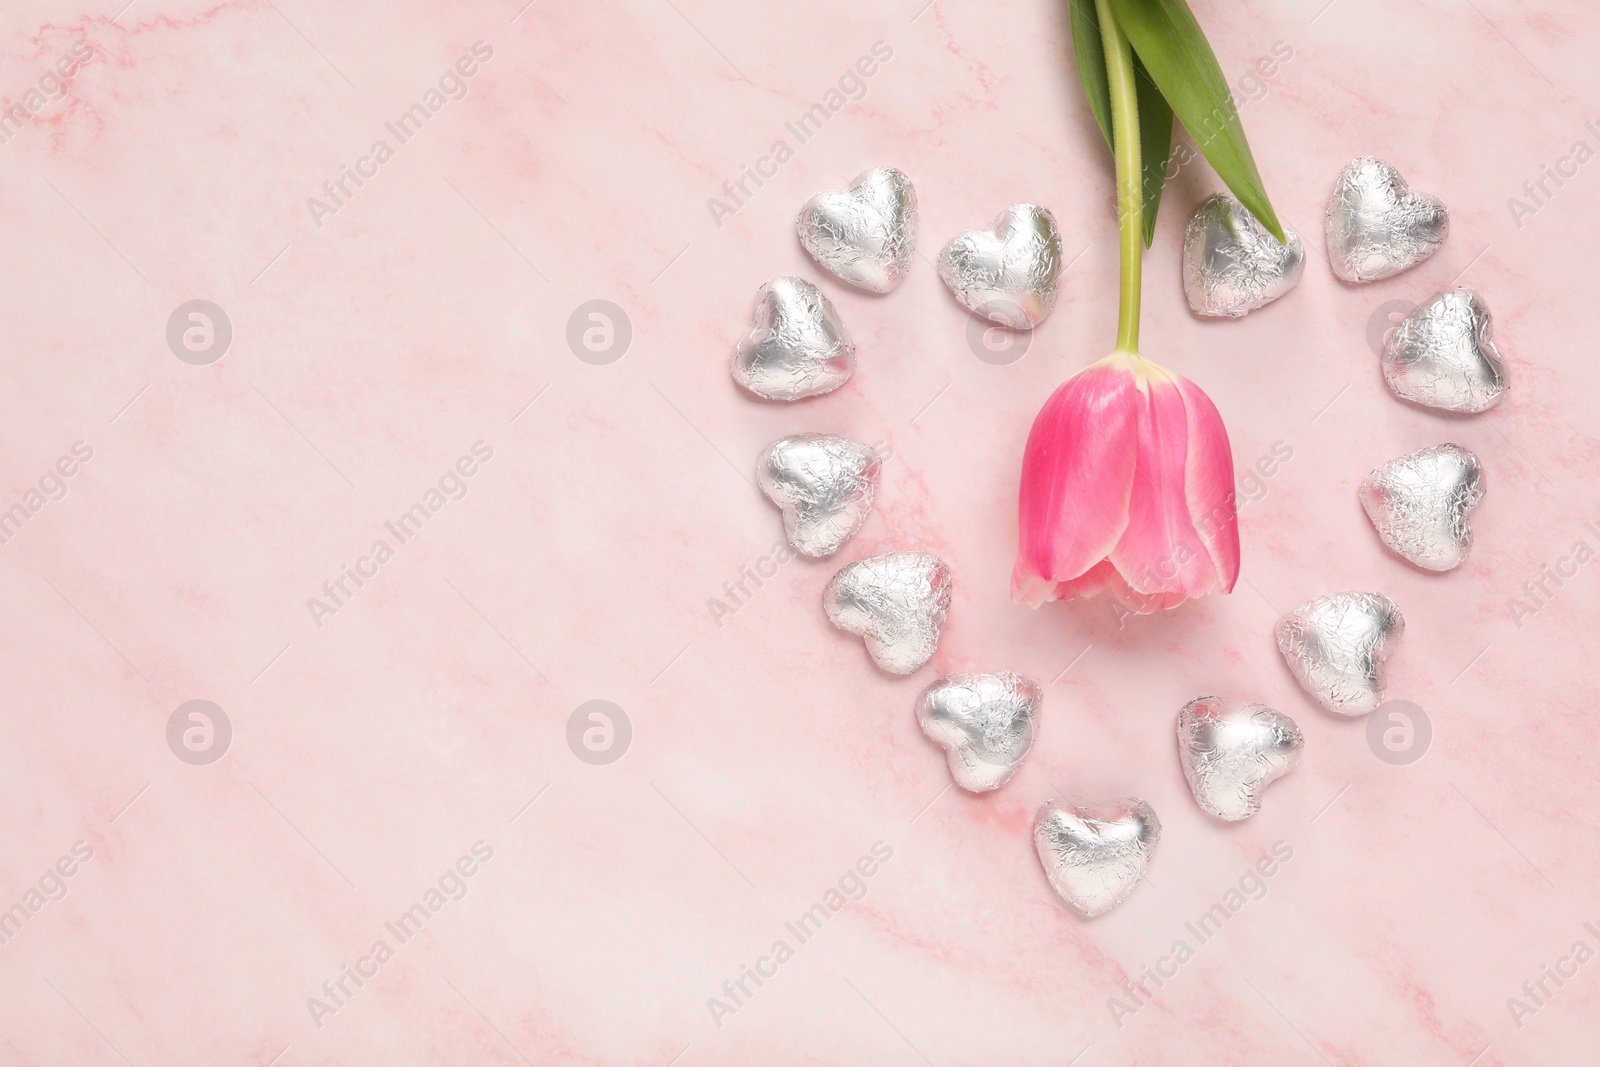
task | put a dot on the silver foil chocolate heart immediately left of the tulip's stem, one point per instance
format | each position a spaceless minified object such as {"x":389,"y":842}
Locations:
{"x":1009,"y":274}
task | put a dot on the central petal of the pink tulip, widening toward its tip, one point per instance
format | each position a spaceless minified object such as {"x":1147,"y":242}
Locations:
{"x":1162,"y":554}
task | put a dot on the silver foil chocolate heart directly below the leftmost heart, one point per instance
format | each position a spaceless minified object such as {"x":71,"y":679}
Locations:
{"x":825,"y":487}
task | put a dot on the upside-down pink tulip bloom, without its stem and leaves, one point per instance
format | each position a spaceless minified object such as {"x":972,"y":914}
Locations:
{"x":1127,"y":489}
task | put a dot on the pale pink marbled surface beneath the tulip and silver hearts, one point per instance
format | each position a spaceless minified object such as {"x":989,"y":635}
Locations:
{"x":374,"y":751}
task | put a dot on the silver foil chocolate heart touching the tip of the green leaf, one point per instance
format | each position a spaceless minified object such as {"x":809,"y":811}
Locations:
{"x":1233,"y":265}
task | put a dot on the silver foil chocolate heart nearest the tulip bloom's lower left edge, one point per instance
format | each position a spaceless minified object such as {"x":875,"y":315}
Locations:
{"x":897,"y":604}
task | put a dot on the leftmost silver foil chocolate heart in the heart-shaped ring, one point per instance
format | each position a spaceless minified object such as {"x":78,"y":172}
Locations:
{"x":798,"y":346}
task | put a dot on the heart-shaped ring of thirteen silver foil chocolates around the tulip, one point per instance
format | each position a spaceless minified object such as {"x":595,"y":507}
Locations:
{"x":1441,"y":358}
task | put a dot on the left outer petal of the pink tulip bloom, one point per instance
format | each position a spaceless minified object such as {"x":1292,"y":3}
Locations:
{"x":1078,"y":478}
